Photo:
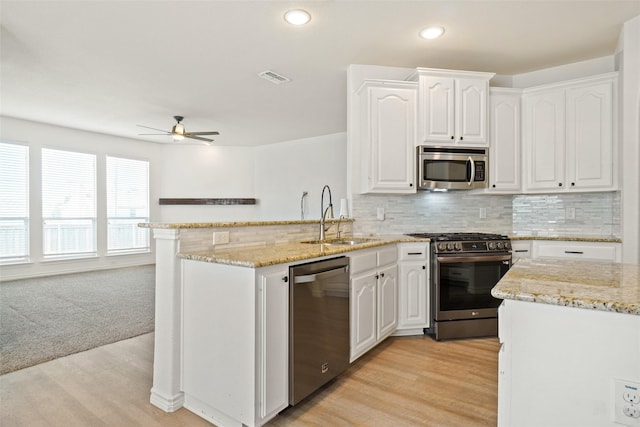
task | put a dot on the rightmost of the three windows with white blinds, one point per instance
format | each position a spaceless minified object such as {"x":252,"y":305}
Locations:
{"x":127,"y":204}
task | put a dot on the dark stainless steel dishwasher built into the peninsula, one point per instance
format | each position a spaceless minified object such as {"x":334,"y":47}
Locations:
{"x":318,"y":325}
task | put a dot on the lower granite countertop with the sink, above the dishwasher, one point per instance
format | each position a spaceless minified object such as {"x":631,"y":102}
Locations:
{"x":281,"y":253}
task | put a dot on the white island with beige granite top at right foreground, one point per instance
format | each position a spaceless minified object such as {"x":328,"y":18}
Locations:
{"x":569,"y":329}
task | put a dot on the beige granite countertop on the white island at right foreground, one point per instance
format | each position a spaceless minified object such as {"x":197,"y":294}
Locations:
{"x":593,"y":285}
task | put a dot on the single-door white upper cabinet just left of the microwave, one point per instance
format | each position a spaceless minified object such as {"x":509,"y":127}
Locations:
{"x":387,"y":136}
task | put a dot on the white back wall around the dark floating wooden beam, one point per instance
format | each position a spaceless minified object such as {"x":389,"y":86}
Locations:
{"x":200,"y":171}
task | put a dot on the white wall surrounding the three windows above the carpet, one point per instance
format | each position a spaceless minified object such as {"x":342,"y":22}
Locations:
{"x":39,"y":135}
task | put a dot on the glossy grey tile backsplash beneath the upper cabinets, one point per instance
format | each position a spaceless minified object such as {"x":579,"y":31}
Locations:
{"x":596,"y":214}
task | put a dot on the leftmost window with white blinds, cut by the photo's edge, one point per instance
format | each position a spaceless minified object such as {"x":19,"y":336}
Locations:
{"x":14,"y":202}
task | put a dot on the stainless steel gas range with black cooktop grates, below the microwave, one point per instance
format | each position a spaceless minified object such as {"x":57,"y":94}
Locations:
{"x":465,"y":267}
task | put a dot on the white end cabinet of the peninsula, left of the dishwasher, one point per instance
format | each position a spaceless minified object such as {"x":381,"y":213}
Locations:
{"x":235,"y":342}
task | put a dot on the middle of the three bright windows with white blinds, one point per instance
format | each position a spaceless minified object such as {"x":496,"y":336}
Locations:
{"x":68,"y":203}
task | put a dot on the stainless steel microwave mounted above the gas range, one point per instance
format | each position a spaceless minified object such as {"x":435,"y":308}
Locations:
{"x":452,"y":168}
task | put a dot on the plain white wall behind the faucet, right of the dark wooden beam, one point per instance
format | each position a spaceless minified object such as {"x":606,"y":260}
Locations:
{"x":285,"y":170}
